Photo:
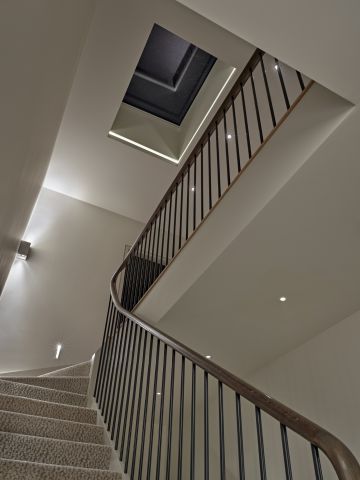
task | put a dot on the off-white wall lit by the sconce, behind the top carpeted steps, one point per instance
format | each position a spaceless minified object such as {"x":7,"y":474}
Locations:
{"x":60,"y":294}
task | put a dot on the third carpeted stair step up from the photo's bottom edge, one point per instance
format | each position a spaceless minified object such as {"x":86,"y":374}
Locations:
{"x":50,"y":428}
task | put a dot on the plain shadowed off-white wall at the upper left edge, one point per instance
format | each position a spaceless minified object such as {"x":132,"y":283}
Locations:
{"x":40,"y":45}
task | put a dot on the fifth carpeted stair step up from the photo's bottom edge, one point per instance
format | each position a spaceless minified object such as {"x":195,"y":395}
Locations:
{"x":40,"y":393}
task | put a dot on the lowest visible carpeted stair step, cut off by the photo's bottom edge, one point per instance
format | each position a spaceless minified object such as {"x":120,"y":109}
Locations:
{"x":18,"y":470}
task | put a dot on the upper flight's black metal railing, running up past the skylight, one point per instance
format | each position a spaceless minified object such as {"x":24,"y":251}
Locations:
{"x":262,"y":97}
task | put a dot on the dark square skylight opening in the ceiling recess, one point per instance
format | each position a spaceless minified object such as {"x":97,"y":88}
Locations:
{"x":168,"y":76}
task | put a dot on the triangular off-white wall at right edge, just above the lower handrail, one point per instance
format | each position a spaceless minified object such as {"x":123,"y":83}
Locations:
{"x":320,"y":379}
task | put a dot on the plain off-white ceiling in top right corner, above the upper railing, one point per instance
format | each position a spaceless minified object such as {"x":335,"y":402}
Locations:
{"x":320,"y":38}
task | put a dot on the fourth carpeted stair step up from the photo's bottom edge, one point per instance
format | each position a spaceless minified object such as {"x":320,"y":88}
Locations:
{"x":40,"y":408}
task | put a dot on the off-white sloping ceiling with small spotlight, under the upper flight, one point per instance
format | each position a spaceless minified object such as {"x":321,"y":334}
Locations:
{"x":304,"y":245}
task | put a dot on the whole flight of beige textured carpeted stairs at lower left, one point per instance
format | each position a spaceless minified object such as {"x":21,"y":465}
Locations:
{"x":48,"y":432}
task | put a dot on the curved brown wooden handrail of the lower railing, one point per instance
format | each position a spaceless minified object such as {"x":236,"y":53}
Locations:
{"x":342,"y":459}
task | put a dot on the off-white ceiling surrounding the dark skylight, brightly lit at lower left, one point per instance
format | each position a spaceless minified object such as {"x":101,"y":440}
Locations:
{"x":88,"y":165}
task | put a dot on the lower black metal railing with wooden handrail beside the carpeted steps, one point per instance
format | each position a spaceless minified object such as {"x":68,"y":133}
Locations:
{"x":174,"y":414}
